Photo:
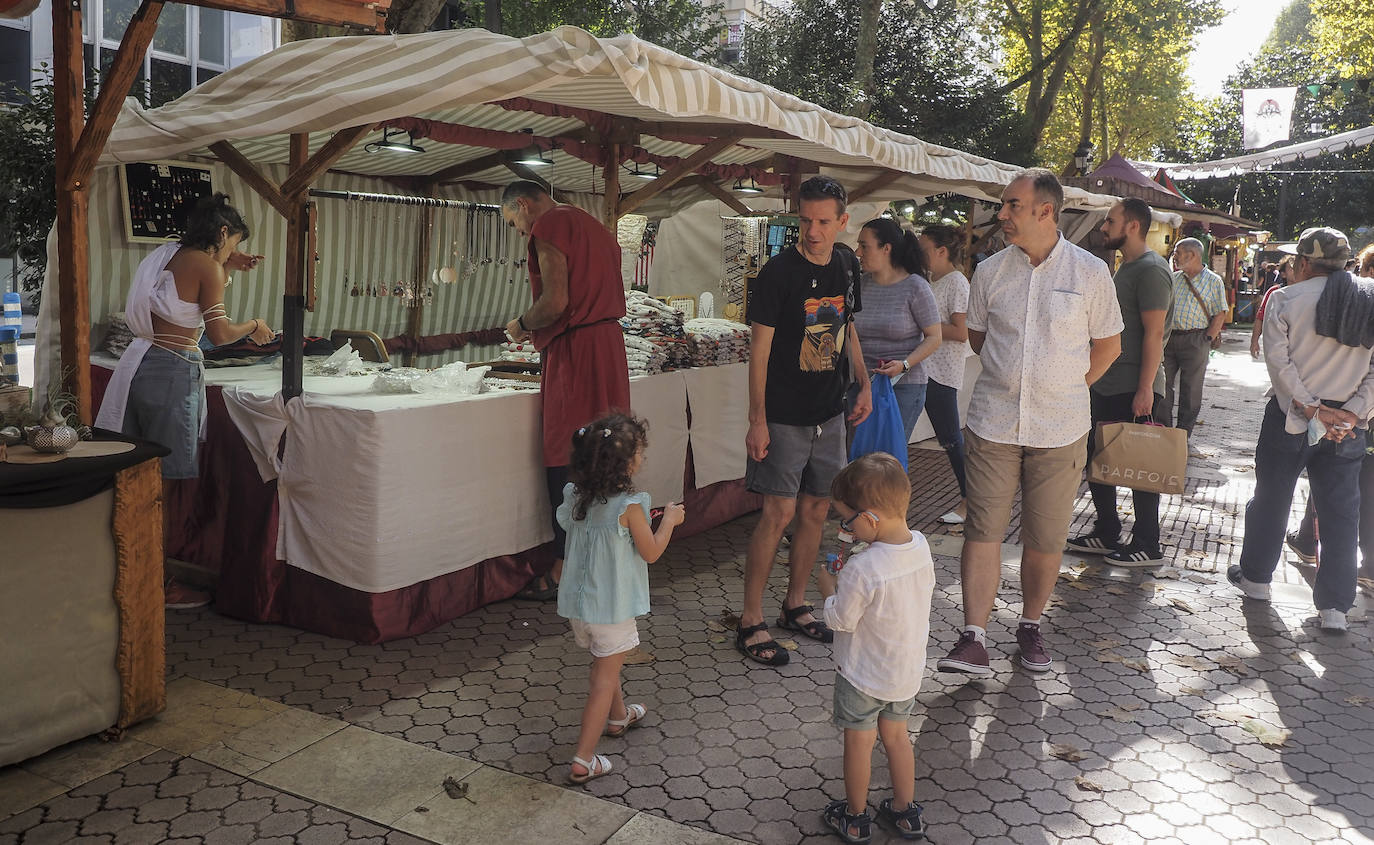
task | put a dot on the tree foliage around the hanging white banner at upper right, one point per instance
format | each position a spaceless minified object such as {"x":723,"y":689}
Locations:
{"x":1314,"y":197}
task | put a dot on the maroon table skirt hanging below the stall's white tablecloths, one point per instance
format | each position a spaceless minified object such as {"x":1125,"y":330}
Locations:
{"x":226,"y":521}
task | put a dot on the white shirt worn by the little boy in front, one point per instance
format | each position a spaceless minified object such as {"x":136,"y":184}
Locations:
{"x":881,"y":618}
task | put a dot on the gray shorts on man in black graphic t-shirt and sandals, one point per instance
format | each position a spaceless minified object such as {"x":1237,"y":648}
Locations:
{"x":800,"y":460}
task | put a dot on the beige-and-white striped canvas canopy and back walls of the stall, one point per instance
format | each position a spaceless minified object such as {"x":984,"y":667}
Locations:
{"x":590,"y":104}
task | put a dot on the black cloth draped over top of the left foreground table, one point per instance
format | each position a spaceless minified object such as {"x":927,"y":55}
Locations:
{"x":71,"y":480}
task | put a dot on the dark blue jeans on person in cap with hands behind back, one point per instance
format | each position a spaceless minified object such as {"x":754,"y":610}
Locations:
{"x":1335,"y":475}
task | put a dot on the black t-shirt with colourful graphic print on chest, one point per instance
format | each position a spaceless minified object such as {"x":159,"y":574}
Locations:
{"x":807,"y":306}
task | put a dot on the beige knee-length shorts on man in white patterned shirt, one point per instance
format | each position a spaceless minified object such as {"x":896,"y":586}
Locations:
{"x":1049,"y":482}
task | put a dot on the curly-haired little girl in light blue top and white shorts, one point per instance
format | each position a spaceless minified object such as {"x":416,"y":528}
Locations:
{"x":605,"y":585}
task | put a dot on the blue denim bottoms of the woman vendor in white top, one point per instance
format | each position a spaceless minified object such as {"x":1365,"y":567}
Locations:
{"x":166,"y":407}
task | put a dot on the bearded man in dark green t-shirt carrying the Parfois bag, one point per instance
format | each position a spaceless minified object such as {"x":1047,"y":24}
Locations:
{"x":1134,"y":384}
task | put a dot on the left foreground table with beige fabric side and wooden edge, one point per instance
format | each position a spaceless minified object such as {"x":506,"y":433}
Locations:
{"x":82,"y":626}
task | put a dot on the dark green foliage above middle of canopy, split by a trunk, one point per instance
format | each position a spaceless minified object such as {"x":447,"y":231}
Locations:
{"x":931,"y":74}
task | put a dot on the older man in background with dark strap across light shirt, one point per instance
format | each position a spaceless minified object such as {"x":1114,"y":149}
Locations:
{"x":1199,"y":315}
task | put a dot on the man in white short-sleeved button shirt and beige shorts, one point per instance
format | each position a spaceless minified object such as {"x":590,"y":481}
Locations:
{"x":1045,"y":318}
